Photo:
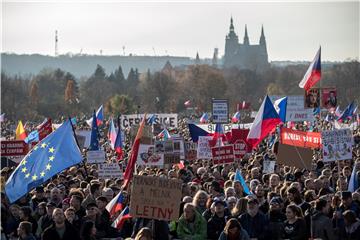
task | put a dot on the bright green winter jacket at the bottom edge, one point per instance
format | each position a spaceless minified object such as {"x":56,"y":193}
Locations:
{"x":197,"y":232}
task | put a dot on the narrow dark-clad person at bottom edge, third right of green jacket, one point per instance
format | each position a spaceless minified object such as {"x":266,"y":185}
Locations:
{"x":276,"y":218}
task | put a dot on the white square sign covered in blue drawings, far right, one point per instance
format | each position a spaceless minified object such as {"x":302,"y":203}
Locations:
{"x":337,"y":144}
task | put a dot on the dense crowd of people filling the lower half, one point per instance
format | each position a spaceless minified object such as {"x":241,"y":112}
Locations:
{"x":289,"y":203}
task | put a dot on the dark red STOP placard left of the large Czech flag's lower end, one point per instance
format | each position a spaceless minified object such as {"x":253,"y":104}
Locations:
{"x":241,"y":146}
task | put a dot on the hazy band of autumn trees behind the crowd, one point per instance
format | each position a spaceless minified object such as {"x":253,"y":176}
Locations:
{"x":56,"y":93}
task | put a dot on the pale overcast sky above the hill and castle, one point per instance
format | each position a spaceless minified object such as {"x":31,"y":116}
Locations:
{"x":293,"y":31}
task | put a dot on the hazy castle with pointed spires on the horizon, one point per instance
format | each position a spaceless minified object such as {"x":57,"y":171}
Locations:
{"x":245,"y":56}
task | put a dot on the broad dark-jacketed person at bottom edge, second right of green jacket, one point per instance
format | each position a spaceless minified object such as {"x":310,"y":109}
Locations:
{"x":254,"y":221}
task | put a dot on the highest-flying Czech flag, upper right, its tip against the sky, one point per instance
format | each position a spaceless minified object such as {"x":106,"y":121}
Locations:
{"x":313,"y":74}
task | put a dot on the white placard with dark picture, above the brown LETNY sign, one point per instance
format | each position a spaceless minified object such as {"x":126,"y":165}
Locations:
{"x":147,"y":156}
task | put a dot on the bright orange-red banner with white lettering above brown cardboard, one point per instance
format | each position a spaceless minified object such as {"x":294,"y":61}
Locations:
{"x":300,"y":138}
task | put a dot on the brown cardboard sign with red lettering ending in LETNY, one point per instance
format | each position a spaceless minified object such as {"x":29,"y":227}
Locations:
{"x":155,"y":198}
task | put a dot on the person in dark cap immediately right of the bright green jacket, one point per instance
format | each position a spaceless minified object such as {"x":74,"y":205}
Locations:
{"x":218,"y":220}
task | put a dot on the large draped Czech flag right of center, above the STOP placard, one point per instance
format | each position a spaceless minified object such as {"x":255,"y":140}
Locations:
{"x":265,"y":122}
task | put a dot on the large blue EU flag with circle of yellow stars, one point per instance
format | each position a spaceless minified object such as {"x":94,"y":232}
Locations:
{"x":52,"y":155}
